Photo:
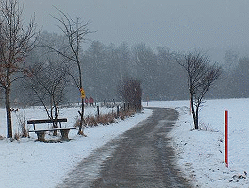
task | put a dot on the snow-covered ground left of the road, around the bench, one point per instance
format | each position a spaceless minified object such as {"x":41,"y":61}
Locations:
{"x":27,"y":163}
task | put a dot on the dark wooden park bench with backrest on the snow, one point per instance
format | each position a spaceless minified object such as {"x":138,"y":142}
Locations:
{"x":41,"y":132}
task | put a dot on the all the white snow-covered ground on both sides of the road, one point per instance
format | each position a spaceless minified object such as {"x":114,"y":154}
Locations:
{"x":200,"y":153}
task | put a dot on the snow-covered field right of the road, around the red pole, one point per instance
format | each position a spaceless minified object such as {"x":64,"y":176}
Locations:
{"x":200,"y":153}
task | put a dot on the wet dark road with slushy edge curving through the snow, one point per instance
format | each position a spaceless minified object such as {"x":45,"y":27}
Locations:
{"x":141,"y":157}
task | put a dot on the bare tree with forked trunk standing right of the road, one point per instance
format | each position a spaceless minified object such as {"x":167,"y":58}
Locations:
{"x":201,"y":74}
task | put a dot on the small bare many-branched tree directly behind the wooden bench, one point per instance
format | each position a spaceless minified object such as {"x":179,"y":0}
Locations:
{"x":48,"y":82}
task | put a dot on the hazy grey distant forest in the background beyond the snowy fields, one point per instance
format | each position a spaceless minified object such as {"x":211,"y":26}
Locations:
{"x":105,"y":66}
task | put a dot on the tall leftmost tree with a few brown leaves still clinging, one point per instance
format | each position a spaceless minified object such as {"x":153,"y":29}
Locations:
{"x":15,"y":41}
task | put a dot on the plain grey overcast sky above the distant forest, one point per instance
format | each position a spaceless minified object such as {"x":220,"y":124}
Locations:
{"x":177,"y":24}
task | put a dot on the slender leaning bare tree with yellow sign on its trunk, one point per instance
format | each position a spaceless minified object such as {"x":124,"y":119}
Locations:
{"x":75,"y":33}
